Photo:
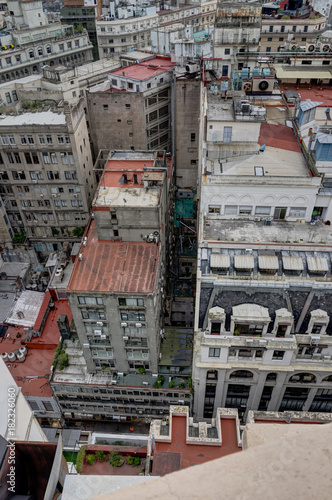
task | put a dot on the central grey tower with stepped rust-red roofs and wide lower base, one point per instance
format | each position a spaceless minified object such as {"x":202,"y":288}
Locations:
{"x":116,"y":297}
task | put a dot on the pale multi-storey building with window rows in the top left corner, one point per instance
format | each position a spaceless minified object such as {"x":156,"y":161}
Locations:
{"x":29,"y":42}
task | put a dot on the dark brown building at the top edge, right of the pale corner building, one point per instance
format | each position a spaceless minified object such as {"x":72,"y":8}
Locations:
{"x":83,"y":13}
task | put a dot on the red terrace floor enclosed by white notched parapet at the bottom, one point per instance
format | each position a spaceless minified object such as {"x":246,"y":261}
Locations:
{"x":191,"y":454}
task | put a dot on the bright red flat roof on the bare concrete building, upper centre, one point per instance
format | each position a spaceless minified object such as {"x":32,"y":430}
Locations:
{"x":145,"y":69}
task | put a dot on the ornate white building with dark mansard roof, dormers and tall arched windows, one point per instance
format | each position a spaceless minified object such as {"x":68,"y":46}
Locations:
{"x":263,"y":300}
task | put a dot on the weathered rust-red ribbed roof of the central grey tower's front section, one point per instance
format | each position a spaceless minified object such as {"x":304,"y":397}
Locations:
{"x":115,"y":266}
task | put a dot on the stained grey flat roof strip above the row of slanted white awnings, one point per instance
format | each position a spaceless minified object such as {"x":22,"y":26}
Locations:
{"x":239,"y":231}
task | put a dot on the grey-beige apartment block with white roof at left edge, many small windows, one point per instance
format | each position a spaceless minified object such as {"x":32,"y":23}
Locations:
{"x":47,"y":183}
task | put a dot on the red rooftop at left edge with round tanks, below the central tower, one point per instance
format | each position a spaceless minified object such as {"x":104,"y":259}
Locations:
{"x":32,"y":374}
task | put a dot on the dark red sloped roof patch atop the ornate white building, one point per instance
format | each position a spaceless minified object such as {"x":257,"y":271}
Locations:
{"x":278,"y":136}
